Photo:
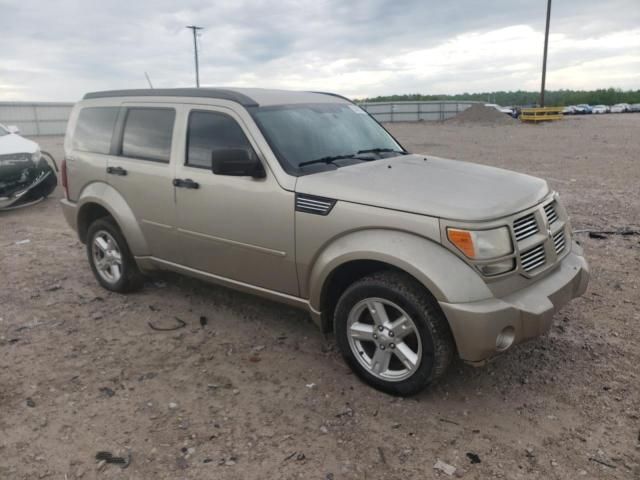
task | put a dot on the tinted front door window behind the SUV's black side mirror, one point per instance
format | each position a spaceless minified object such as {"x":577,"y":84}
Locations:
{"x":209,"y":132}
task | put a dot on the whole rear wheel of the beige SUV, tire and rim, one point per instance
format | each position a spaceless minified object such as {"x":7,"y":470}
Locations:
{"x":110,"y":259}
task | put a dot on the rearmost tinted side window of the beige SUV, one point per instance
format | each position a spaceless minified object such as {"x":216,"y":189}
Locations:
{"x":94,"y":129}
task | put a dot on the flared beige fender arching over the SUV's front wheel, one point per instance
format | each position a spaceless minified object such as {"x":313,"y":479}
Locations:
{"x":446,"y":276}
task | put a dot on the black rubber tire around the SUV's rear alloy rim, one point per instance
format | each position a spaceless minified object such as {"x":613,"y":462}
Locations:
{"x":130,"y":279}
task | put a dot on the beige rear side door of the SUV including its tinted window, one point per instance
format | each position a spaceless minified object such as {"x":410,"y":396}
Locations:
{"x":142,"y":172}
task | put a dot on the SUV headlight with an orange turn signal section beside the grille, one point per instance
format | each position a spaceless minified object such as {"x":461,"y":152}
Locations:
{"x":481,"y":244}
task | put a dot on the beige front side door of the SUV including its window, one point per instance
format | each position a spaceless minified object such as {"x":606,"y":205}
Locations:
{"x":240,"y":228}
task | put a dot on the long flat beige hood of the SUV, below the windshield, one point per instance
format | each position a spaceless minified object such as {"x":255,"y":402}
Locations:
{"x":429,"y":186}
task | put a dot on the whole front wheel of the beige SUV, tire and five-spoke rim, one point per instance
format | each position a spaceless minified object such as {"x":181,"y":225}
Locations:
{"x":392,"y":333}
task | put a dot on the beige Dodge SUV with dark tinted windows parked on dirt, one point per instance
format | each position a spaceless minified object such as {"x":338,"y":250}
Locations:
{"x":304,"y":198}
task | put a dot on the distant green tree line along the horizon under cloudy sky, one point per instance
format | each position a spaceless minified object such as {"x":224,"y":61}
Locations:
{"x":604,"y":96}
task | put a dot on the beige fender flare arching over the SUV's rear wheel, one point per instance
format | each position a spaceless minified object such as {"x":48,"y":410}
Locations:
{"x":108,"y":197}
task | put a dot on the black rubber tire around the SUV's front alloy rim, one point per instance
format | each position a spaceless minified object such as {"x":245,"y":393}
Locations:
{"x":404,"y":291}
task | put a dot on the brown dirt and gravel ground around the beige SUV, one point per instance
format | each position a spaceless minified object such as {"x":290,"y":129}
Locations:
{"x":258,"y":393}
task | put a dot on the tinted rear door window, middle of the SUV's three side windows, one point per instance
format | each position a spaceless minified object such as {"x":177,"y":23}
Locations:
{"x":147,"y":133}
